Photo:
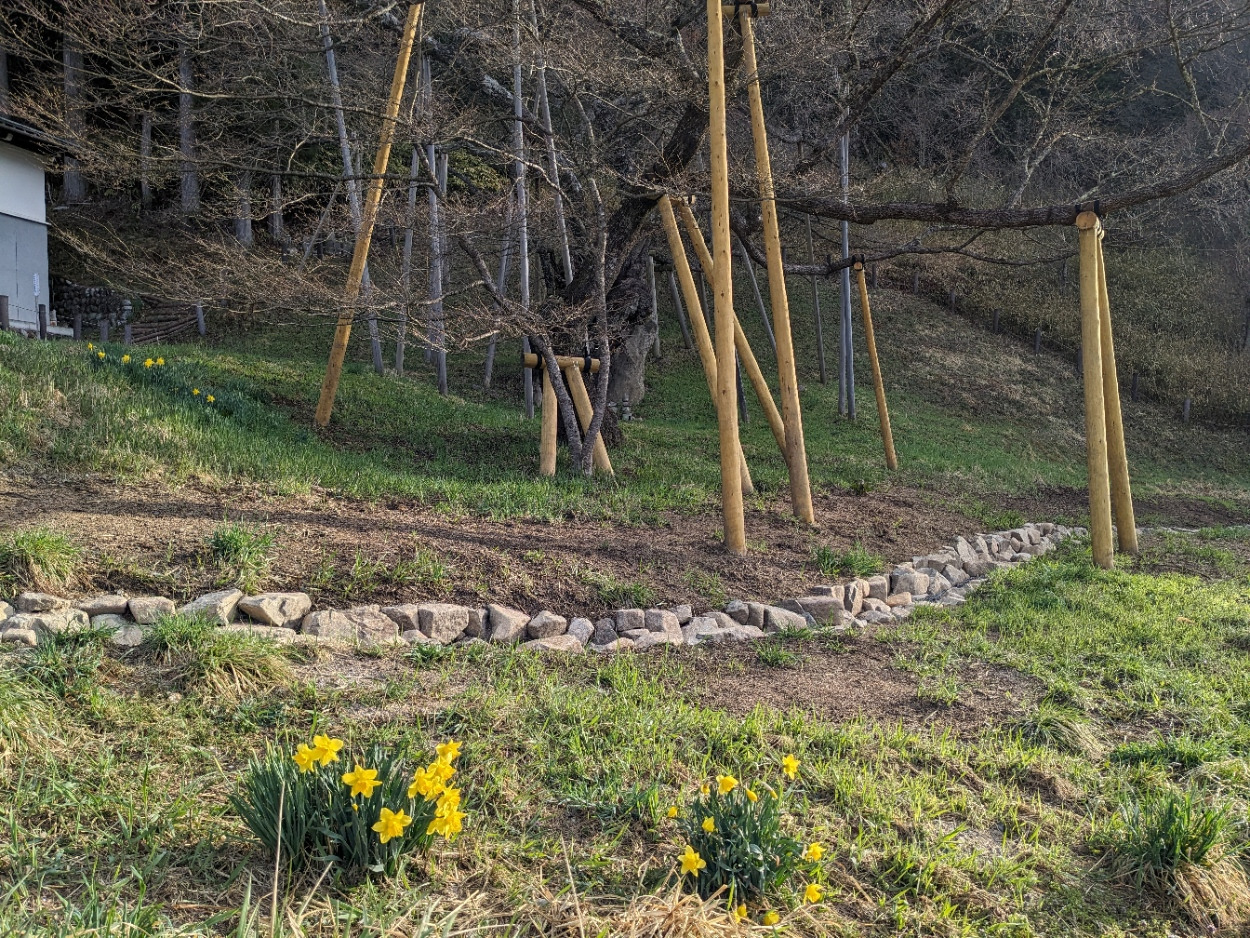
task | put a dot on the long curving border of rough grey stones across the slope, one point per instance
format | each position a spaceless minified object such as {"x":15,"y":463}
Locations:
{"x":943,"y":578}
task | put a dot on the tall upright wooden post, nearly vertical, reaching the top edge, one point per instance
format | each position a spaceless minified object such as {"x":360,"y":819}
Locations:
{"x":723,"y":287}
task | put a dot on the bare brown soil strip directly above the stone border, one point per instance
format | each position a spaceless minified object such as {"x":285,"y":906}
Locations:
{"x":148,"y":537}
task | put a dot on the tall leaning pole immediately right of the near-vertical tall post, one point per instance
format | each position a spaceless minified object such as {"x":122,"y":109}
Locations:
{"x":792,"y":412}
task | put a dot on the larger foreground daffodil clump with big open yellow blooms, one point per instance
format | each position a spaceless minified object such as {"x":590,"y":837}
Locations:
{"x":364,"y":812}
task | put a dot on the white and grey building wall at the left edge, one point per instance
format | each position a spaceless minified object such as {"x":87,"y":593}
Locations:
{"x":23,"y":237}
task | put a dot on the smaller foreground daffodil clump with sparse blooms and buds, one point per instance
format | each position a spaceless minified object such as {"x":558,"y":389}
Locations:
{"x":737,"y":844}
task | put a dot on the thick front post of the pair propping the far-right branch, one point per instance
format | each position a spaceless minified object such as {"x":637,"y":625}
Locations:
{"x":1096,"y":410}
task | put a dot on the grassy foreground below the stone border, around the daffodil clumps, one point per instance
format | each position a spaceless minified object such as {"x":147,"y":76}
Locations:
{"x":1103,"y":794}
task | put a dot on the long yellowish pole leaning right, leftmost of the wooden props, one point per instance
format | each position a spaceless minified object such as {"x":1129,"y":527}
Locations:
{"x":373,"y":197}
